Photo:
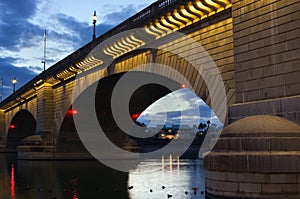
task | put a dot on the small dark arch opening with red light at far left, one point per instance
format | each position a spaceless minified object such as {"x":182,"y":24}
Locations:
{"x":23,"y":124}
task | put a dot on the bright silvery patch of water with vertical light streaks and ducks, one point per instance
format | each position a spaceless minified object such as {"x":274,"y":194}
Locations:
{"x":168,"y":176}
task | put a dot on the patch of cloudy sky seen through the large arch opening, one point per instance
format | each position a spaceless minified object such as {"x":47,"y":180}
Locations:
{"x":192,"y":110}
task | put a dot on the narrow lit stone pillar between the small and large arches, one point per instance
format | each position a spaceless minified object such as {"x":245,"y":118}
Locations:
{"x":45,"y":107}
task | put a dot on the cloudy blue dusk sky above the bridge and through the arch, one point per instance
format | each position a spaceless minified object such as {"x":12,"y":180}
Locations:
{"x":69,"y":27}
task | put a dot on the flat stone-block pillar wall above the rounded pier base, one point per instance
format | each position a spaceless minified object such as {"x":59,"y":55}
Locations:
{"x":266,"y":55}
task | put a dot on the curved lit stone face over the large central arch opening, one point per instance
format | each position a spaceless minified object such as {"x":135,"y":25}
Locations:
{"x":182,"y":60}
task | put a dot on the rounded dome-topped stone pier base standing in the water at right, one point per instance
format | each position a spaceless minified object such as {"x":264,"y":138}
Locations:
{"x":255,"y":157}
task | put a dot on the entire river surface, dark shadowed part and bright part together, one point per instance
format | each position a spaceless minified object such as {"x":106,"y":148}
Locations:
{"x":167,"y":177}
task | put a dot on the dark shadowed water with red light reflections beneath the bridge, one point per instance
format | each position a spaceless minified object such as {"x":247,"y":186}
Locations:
{"x":59,"y":180}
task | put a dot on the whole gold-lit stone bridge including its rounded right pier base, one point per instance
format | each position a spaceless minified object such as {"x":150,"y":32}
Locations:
{"x":241,"y":57}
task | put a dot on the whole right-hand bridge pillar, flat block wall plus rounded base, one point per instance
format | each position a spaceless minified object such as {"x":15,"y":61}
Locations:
{"x":257,"y":155}
